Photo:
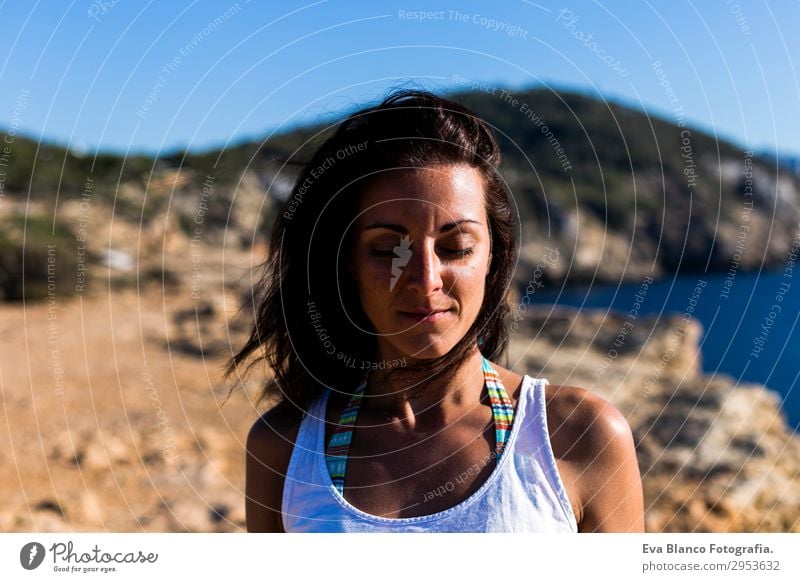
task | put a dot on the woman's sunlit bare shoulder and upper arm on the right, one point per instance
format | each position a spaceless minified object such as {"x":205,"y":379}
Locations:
{"x":595,"y":451}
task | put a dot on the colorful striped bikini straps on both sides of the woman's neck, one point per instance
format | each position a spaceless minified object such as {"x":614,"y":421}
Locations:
{"x":339,"y":444}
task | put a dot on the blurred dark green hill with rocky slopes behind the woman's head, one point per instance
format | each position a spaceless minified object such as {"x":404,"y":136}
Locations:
{"x":620,"y":193}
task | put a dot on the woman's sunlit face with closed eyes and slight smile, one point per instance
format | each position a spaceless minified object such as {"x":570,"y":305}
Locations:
{"x":420,"y":258}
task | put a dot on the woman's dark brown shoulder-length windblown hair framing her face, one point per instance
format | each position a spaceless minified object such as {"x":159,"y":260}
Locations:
{"x":309,"y":325}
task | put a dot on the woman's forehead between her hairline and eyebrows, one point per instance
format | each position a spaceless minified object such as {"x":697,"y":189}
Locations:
{"x":445,"y":191}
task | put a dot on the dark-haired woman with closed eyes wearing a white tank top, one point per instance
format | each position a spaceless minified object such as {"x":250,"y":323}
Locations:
{"x":382,"y":315}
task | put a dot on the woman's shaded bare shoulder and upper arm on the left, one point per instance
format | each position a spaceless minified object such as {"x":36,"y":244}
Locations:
{"x":270,"y":443}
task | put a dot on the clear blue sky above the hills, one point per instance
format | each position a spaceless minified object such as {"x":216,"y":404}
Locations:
{"x":129,"y":75}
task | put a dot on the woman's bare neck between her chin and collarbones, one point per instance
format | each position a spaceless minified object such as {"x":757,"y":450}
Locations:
{"x":409,"y":398}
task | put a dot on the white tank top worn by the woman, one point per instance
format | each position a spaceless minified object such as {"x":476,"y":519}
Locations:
{"x":524,"y":492}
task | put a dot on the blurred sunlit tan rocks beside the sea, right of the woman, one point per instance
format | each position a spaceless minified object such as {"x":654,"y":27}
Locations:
{"x":714,"y":456}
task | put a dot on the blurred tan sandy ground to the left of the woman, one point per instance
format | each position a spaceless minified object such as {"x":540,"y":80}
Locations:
{"x":107,"y":426}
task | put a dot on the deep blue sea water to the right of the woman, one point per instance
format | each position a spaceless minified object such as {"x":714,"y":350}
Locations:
{"x":749,"y":320}
